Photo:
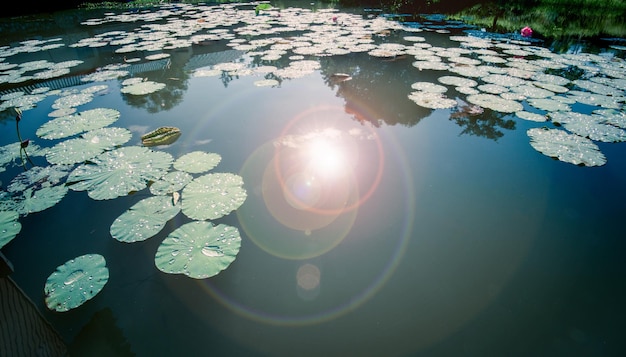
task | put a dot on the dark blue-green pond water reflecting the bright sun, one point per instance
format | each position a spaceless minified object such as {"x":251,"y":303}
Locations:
{"x":457,"y":238}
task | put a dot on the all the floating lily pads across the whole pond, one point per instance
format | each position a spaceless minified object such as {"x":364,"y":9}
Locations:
{"x":502,"y":75}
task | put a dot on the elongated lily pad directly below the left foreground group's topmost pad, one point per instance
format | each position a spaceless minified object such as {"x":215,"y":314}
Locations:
{"x":91,"y":144}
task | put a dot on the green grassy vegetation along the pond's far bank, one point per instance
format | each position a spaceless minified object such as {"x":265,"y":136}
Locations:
{"x":548,"y":18}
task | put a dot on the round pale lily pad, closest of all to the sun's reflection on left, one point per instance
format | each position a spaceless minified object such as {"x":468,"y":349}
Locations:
{"x":213,"y":196}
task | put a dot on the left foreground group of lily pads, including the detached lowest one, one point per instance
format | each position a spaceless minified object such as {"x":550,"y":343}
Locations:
{"x":92,"y":159}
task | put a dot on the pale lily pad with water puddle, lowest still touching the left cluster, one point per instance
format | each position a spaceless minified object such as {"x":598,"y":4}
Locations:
{"x":198,"y":249}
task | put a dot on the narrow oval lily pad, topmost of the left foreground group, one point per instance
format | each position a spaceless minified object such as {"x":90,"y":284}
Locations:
{"x":67,"y":126}
